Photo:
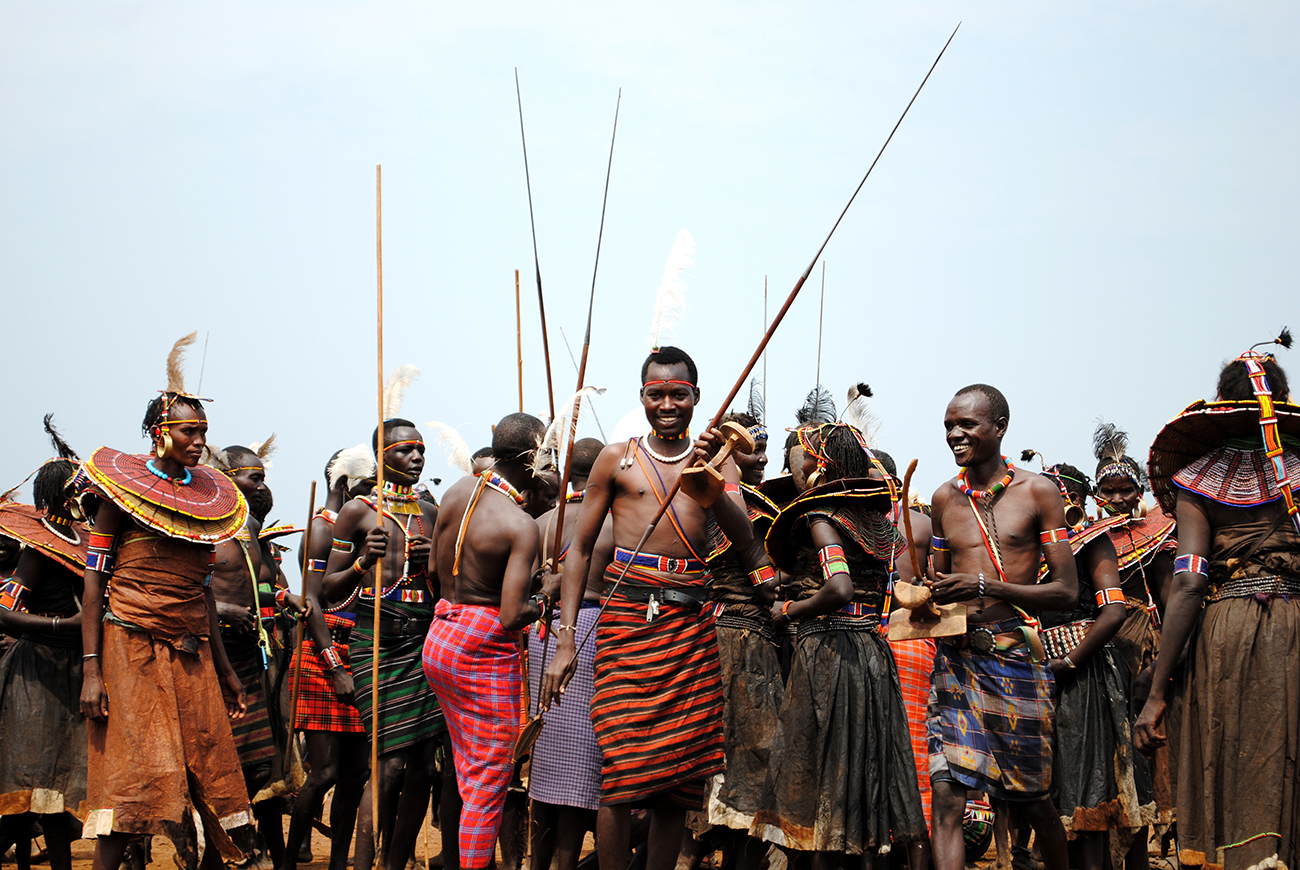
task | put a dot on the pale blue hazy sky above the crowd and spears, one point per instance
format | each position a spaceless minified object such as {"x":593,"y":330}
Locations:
{"x":1091,"y":206}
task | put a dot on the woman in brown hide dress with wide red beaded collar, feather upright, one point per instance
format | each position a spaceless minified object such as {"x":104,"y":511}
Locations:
{"x":155,"y":730}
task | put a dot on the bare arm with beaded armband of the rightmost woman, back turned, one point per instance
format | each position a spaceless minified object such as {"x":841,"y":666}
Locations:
{"x":1181,"y":616}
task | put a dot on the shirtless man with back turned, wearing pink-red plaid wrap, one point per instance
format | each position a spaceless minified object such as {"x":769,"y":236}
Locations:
{"x":484,"y":556}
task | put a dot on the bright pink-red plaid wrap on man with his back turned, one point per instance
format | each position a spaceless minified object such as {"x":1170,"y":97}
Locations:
{"x":473,"y":665}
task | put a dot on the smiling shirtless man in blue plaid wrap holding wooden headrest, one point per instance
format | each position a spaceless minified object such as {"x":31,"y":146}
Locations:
{"x":993,"y":526}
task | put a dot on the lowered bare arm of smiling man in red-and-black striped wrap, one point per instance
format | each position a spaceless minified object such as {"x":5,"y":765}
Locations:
{"x":597,"y":501}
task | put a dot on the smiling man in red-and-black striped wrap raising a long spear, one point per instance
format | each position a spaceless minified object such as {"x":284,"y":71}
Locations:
{"x":665,"y":741}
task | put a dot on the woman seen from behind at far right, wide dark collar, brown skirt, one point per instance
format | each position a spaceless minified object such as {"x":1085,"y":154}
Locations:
{"x":1236,"y":608}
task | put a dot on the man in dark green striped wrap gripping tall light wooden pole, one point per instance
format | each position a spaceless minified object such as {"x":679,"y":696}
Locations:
{"x":410,"y":721}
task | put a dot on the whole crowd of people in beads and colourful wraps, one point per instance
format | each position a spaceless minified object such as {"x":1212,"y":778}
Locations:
{"x":657,"y":643}
